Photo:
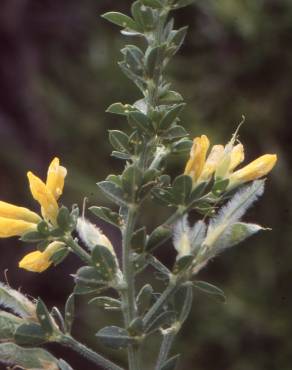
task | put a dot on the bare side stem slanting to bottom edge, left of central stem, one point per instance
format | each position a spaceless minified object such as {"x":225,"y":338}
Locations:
{"x":99,"y":360}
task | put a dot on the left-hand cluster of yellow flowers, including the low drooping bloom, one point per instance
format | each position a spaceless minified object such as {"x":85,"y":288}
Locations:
{"x":16,"y":221}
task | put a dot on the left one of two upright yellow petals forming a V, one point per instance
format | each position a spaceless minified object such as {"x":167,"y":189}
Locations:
{"x":44,"y":196}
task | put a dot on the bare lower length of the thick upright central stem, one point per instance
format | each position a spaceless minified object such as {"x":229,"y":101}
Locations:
{"x":128,"y":295}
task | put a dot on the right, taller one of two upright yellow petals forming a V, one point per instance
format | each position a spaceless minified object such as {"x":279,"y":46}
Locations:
{"x":56,"y":178}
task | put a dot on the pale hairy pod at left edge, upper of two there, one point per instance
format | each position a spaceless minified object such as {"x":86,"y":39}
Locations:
{"x":16,"y":301}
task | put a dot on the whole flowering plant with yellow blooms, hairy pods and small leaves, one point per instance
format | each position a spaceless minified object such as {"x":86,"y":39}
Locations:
{"x":210,"y":185}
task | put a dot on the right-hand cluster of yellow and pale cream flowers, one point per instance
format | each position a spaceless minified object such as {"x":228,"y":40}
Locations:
{"x":222,"y":161}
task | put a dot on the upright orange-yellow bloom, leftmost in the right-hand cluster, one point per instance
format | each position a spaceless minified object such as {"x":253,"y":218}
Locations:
{"x":197,"y":159}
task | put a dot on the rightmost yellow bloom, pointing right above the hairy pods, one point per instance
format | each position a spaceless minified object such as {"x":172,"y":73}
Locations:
{"x":256,"y":169}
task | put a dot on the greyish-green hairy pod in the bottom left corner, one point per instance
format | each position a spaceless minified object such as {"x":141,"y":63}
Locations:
{"x":28,"y":358}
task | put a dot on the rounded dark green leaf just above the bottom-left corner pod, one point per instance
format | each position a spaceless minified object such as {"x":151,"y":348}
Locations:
{"x":30,"y":335}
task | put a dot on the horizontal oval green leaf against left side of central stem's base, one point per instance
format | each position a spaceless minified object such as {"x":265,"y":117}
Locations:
{"x":115,"y":337}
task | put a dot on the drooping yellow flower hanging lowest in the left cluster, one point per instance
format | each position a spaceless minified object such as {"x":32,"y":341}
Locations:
{"x":40,"y":261}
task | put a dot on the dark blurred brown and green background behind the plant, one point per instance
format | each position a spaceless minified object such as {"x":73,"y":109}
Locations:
{"x":58,"y":74}
